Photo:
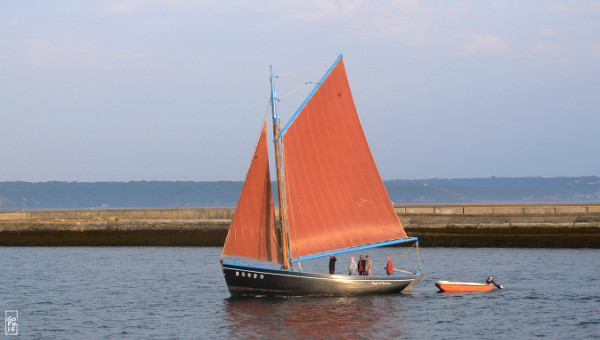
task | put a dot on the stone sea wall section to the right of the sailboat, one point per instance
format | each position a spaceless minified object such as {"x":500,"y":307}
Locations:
{"x":526,"y":226}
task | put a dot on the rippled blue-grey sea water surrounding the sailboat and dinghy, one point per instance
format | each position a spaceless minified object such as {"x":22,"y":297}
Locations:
{"x":180,"y":293}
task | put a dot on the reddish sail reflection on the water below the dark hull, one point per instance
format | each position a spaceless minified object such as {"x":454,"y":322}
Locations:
{"x":316,"y":317}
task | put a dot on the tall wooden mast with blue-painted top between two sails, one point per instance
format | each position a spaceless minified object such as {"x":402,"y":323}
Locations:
{"x":284,"y":236}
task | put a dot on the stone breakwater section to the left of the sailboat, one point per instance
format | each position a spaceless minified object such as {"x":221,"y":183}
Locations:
{"x":126,"y":227}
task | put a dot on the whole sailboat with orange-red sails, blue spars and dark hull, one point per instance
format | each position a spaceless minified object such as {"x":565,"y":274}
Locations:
{"x":331,"y":200}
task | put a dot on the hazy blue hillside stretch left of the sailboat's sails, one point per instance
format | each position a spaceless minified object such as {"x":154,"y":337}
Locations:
{"x":135,"y":194}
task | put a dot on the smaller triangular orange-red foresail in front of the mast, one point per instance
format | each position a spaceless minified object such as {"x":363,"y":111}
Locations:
{"x":252,"y":233}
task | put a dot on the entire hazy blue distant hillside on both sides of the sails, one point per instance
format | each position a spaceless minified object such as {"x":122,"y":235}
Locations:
{"x":164,"y":194}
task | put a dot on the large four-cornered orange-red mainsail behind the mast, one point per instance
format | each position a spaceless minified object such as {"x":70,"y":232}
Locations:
{"x":335,"y":198}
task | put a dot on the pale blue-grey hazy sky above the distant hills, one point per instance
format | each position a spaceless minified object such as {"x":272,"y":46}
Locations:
{"x":130,"y":90}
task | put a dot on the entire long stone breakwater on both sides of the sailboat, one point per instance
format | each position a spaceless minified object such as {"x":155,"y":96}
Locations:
{"x":551,"y":226}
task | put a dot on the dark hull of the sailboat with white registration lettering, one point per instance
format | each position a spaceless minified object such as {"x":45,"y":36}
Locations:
{"x":250,"y":280}
